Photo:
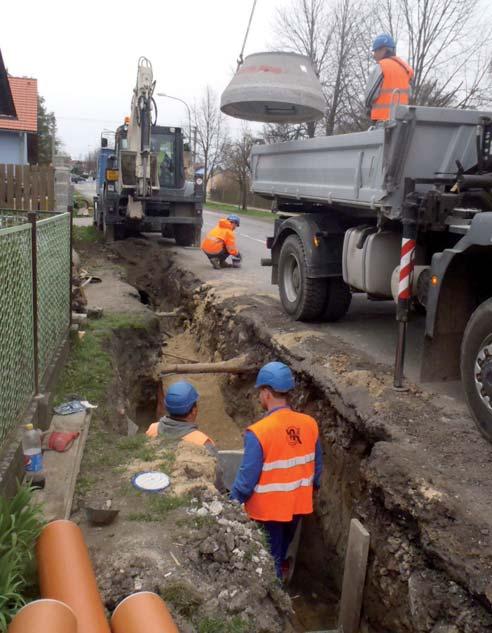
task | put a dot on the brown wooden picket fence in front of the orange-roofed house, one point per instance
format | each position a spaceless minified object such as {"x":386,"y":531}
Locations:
{"x":27,"y":187}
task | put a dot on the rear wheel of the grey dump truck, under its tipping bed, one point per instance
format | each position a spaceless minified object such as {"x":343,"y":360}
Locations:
{"x":302,"y":297}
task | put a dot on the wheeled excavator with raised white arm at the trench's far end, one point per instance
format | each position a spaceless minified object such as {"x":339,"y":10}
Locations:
{"x":144,"y":186}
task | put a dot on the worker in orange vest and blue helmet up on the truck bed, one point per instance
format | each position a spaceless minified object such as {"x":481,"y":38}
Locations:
{"x":391,"y":73}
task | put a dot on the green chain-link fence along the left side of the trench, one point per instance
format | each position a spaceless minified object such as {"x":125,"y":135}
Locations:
{"x":17,"y":353}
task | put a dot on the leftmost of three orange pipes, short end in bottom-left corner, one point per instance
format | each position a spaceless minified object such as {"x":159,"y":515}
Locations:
{"x":44,"y":616}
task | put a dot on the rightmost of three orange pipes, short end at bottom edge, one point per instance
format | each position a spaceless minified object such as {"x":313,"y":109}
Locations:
{"x":142,"y":612}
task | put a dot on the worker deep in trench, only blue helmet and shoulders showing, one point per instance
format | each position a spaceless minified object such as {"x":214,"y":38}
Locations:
{"x":181,"y":404}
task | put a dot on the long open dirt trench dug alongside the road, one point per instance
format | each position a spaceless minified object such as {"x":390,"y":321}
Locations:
{"x":407,"y":589}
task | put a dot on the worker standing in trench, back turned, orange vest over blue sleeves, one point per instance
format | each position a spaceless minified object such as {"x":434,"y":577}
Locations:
{"x":282,"y":464}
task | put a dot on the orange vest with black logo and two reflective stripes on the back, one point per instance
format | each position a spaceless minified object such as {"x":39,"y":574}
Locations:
{"x":285,"y":487}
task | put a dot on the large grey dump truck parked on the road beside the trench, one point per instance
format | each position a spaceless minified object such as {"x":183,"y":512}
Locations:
{"x":402,"y":211}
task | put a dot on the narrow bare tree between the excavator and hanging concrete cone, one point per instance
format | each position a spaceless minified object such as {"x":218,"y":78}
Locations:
{"x":211,"y":134}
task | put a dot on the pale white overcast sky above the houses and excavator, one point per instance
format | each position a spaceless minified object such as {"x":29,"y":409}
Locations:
{"x":85,"y":54}
